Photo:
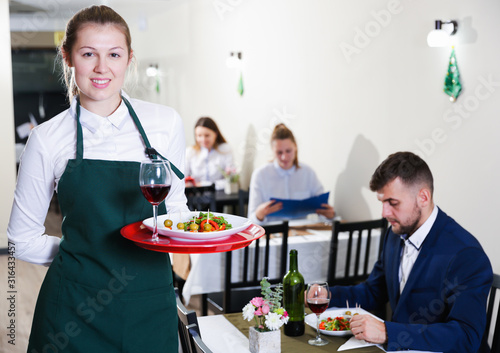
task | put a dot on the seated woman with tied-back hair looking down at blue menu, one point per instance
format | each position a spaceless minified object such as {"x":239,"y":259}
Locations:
{"x":283,"y":178}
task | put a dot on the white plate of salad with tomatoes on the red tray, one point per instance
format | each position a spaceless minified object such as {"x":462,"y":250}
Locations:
{"x":198,"y":226}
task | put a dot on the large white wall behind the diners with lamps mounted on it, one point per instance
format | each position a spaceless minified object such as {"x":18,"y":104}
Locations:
{"x":348,"y":111}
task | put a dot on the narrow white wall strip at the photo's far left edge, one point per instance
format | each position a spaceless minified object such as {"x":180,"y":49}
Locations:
{"x":7,"y":140}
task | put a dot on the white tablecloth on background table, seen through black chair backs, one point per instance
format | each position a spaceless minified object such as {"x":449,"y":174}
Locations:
{"x":207,"y":270}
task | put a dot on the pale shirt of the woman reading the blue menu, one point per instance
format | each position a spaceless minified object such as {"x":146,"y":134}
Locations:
{"x":271,"y":181}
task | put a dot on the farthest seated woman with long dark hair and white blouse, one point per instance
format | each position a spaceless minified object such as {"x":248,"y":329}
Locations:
{"x":210,"y":155}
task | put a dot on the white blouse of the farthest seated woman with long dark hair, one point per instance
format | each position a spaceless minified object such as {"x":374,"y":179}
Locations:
{"x":207,"y":166}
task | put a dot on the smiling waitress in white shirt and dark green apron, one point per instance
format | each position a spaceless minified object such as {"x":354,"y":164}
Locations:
{"x":101,"y":293}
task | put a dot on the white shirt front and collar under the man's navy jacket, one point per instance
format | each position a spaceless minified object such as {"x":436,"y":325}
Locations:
{"x":411,"y":248}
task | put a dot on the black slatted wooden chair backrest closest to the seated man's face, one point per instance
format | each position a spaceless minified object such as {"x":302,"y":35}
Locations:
{"x":358,"y":232}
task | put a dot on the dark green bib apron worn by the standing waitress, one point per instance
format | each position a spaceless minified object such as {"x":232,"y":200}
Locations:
{"x":102,"y":293}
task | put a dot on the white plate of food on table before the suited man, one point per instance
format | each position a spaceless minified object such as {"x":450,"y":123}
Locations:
{"x":334,"y":322}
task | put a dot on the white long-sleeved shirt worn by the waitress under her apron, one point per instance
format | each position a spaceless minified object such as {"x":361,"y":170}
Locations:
{"x":114,"y":138}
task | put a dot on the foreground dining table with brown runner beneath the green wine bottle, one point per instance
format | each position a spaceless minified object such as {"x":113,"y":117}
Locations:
{"x":229,"y":333}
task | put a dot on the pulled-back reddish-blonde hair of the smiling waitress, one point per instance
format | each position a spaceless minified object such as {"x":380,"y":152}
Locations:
{"x":99,"y":15}
